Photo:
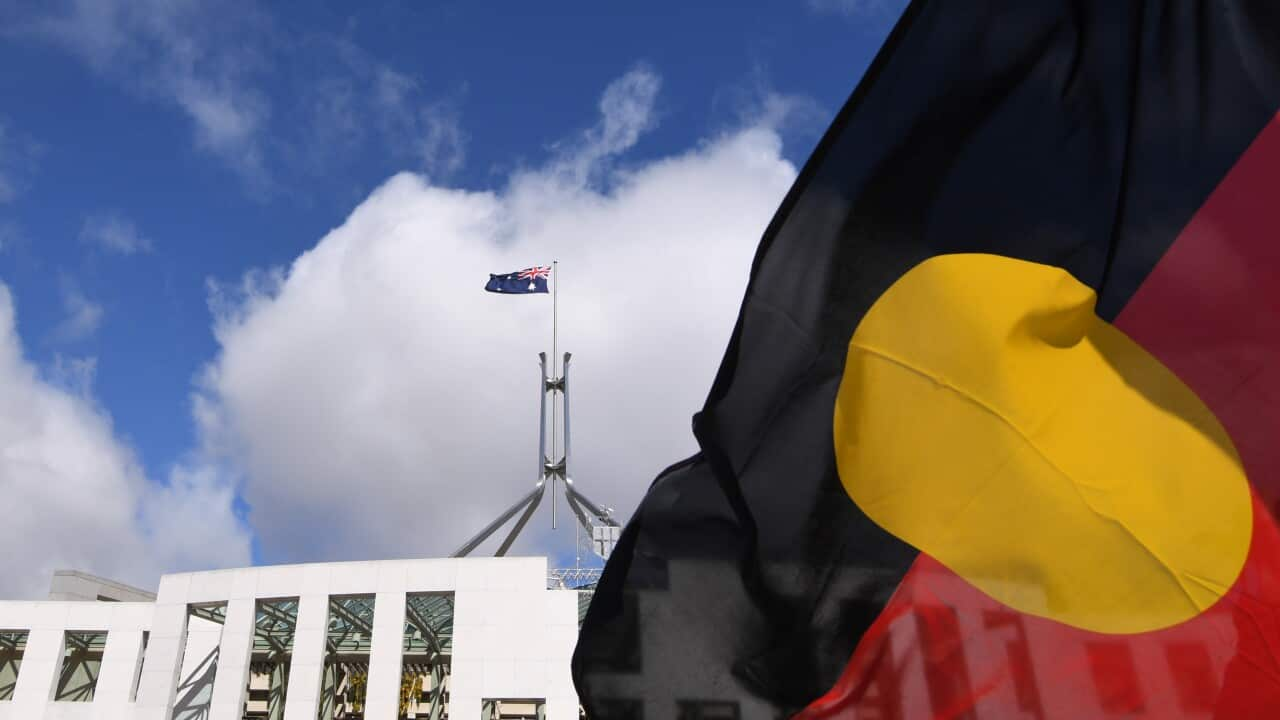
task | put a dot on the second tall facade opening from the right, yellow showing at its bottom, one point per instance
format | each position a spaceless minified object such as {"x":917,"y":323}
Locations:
{"x":346,"y":660}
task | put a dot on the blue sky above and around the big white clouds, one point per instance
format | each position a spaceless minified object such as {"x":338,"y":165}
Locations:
{"x":158,"y":158}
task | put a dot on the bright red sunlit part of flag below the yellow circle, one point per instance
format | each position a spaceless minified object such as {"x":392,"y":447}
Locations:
{"x":1023,"y":668}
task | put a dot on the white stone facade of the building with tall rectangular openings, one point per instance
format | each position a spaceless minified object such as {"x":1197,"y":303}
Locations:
{"x":513,"y":639}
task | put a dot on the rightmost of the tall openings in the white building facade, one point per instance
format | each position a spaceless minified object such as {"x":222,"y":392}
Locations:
{"x":427,"y":655}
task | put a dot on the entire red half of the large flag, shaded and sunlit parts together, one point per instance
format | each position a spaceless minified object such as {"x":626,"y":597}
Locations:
{"x":1212,"y":313}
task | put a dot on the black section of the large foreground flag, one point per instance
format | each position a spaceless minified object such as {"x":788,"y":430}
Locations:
{"x":1075,"y":134}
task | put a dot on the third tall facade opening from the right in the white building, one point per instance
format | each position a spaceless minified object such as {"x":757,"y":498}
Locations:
{"x":276,"y":625}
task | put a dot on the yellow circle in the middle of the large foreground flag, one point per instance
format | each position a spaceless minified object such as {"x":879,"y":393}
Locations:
{"x":991,"y":420}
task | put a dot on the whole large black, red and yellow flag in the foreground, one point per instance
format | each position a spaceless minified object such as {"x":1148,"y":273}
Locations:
{"x":998,"y":434}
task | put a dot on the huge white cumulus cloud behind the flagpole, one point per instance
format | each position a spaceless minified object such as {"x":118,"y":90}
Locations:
{"x":376,"y":403}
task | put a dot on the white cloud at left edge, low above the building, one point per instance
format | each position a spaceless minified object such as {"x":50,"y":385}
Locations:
{"x":76,"y":498}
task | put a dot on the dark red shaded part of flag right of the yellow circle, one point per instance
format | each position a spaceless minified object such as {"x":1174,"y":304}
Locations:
{"x":1212,"y":309}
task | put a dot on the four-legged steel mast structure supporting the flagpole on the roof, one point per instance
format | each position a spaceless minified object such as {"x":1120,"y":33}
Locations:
{"x":596,"y":520}
